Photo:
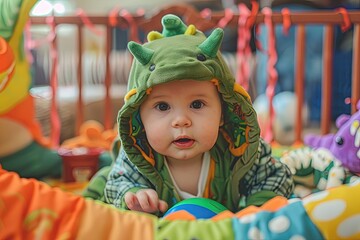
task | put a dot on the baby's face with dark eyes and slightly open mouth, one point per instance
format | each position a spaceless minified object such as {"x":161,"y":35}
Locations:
{"x":182,"y":118}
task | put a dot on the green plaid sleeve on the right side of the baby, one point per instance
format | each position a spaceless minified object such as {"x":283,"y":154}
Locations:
{"x":266,"y":179}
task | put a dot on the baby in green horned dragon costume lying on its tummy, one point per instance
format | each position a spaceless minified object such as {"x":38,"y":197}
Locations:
{"x":188,"y":130}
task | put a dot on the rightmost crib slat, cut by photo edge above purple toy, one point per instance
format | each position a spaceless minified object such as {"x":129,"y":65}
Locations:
{"x":355,"y":95}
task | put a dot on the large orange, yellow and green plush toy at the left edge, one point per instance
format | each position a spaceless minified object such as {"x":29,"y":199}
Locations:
{"x":23,"y":148}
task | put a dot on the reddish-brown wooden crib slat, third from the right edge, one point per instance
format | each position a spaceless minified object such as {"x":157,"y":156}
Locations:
{"x":299,"y":79}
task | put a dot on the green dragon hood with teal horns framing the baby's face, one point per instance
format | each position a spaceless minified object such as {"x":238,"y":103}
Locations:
{"x":183,"y":52}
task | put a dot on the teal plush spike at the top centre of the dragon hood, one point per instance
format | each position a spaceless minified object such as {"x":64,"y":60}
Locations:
{"x":172,"y":25}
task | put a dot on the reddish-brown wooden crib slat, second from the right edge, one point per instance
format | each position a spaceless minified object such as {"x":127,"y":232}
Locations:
{"x":328,"y":46}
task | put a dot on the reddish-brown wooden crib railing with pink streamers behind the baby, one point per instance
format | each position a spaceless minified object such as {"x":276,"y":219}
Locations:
{"x":205,"y":20}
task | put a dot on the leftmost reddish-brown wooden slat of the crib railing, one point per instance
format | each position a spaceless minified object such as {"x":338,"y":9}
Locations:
{"x":80,"y":104}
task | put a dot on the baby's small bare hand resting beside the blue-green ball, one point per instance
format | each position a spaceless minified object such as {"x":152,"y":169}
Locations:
{"x":145,"y":200}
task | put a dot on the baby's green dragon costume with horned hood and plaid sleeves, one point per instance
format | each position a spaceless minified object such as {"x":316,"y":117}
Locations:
{"x":242,"y":166}
